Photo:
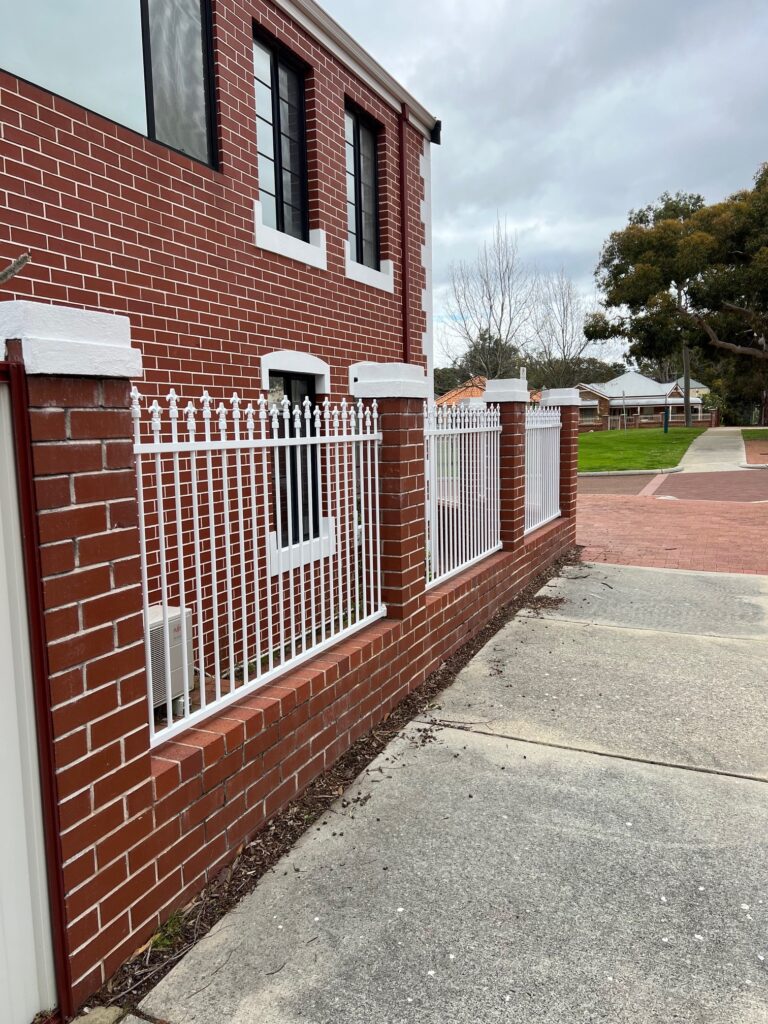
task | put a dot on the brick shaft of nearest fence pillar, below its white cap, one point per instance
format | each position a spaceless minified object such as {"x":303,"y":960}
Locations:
{"x":86,"y":490}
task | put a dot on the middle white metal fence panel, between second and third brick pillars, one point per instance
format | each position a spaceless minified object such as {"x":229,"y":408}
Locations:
{"x":462,"y":475}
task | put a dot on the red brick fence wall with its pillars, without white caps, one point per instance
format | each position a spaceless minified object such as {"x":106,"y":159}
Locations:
{"x":143,"y":831}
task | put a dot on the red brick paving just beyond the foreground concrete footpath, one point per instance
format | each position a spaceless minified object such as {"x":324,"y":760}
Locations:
{"x":719,"y":537}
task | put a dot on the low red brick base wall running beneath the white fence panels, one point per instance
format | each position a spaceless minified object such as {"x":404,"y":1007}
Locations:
{"x":218,"y":786}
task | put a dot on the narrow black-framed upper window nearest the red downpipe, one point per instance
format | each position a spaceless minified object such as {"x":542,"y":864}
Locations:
{"x":363,"y":188}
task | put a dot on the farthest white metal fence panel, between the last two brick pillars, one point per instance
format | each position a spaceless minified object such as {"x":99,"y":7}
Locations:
{"x":542,"y":467}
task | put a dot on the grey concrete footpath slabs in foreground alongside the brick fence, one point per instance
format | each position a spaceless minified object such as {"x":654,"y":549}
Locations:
{"x":580,"y":835}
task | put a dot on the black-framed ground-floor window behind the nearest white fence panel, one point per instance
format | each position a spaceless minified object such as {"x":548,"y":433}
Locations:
{"x":296,"y":464}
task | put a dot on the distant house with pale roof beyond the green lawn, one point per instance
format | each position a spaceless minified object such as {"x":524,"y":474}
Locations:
{"x":637,"y":396}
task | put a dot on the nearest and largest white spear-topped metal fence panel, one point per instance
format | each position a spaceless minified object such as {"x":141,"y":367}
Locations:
{"x":260,"y":540}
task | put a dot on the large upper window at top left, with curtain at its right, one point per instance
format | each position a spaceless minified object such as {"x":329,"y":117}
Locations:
{"x":144,"y":64}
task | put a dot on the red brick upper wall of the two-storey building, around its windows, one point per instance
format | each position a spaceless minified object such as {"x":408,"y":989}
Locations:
{"x":120,"y":224}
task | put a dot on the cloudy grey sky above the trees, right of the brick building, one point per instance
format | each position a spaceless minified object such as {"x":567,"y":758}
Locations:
{"x":562,"y":116}
